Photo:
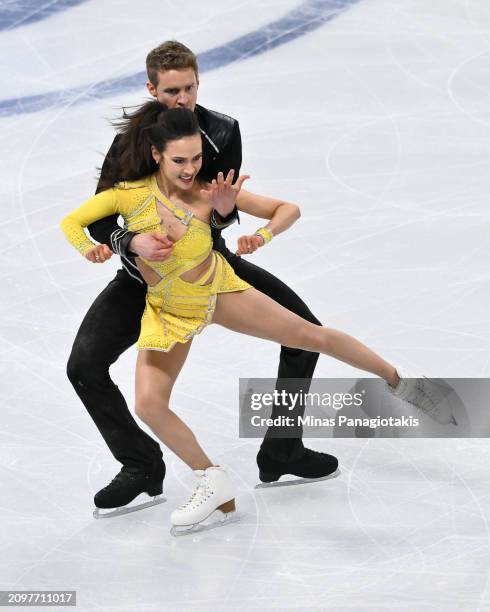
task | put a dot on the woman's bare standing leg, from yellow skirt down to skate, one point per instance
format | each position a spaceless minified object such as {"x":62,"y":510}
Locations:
{"x":156,"y":373}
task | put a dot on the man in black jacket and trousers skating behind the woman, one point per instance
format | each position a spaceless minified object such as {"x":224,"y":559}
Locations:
{"x":112,"y":323}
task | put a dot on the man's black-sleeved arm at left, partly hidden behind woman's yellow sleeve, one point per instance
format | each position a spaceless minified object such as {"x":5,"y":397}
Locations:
{"x":107,"y":230}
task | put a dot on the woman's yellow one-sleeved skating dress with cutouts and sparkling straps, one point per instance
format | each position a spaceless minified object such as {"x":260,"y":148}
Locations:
{"x":176,"y":310}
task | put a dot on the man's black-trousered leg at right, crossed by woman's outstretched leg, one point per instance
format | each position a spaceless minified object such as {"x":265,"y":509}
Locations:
{"x":294,"y":364}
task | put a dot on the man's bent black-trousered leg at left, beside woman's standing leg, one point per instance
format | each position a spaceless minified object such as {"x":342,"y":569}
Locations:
{"x":111,"y":326}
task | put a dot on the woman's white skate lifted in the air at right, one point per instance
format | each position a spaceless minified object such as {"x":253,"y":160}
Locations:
{"x":427,"y":395}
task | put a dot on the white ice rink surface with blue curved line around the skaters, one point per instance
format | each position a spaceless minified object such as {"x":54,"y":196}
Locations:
{"x":374,"y":116}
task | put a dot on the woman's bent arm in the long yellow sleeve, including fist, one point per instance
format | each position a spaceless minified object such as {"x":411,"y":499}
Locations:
{"x":99,"y":206}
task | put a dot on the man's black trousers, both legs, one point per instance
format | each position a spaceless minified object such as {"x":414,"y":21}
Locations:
{"x":112,"y":325}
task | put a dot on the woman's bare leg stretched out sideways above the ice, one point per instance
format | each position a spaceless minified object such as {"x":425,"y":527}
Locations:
{"x":255,"y":314}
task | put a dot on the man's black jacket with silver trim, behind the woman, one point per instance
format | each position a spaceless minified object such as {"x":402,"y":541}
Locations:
{"x":222,"y":151}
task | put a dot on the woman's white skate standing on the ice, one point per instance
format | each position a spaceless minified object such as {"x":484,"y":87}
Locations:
{"x":213,"y":492}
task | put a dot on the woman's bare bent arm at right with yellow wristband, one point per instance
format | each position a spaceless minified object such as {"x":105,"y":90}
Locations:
{"x":281,"y":217}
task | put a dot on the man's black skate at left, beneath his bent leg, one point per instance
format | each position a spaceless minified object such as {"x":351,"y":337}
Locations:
{"x":128,"y":484}
